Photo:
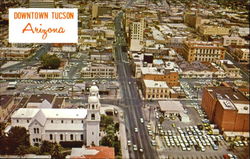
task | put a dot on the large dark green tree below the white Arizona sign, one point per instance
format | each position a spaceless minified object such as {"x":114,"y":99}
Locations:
{"x":50,"y":61}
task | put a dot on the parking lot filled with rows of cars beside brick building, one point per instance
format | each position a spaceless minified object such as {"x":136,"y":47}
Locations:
{"x":192,"y":140}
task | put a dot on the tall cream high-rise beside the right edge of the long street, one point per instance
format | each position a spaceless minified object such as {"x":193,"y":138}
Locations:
{"x":136,"y":35}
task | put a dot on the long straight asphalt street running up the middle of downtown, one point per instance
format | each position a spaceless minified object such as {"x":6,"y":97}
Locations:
{"x":131,"y":100}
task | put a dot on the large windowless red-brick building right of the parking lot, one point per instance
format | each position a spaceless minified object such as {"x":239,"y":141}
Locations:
{"x":227,"y":107}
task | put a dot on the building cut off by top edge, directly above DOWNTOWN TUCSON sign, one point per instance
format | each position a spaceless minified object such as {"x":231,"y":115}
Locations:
{"x":41,"y":3}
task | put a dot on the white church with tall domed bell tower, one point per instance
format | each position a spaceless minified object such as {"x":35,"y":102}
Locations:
{"x":62,"y":125}
